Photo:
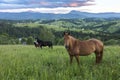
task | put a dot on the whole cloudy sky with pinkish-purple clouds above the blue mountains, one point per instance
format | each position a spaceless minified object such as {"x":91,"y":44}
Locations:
{"x":60,"y":6}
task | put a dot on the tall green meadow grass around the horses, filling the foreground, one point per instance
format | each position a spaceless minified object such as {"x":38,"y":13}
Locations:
{"x":18,"y":62}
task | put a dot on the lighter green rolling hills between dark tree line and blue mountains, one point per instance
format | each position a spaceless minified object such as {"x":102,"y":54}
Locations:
{"x":109,"y":25}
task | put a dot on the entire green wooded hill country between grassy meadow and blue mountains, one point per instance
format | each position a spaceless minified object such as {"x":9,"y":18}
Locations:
{"x":25,"y":31}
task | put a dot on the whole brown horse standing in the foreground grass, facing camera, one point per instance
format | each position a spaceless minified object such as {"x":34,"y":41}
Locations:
{"x":78,"y":48}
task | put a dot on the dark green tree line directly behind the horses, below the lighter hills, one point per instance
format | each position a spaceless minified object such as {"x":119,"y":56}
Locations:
{"x":10,"y":34}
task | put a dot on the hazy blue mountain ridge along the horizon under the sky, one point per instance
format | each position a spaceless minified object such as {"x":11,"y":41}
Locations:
{"x":70,"y":15}
